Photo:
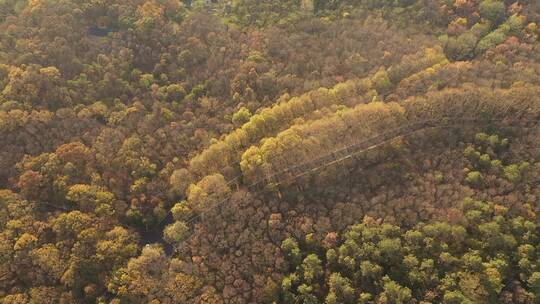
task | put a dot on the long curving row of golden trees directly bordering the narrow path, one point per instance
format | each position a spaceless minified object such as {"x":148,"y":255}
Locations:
{"x":311,"y":140}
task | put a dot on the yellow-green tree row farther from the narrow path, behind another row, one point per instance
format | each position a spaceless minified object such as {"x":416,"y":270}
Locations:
{"x":225,"y":154}
